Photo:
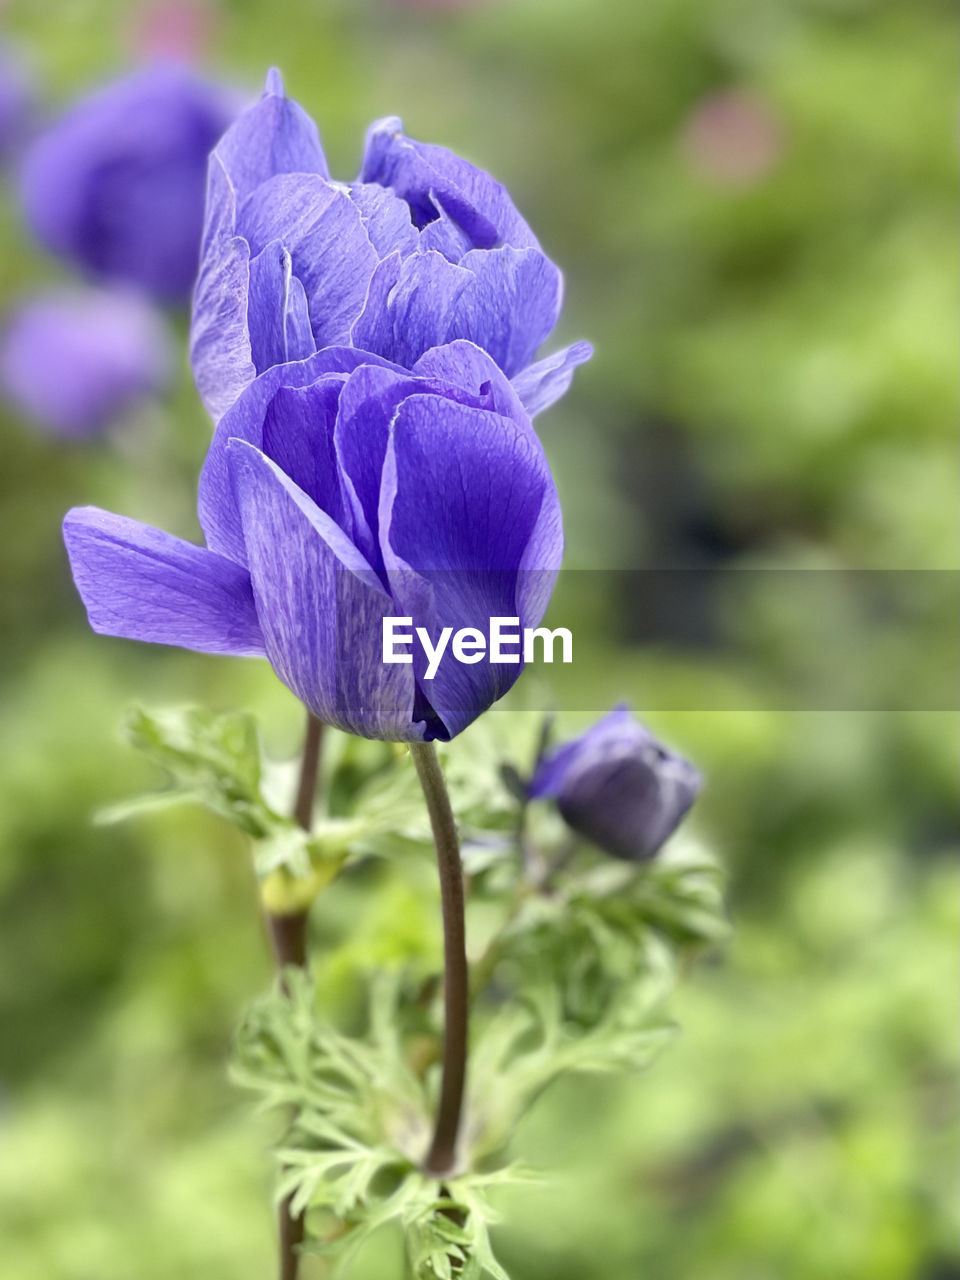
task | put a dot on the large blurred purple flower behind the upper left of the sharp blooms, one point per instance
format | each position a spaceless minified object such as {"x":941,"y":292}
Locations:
{"x":117,"y":186}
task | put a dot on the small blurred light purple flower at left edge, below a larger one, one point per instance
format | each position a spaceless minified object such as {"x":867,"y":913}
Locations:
{"x":77,"y":360}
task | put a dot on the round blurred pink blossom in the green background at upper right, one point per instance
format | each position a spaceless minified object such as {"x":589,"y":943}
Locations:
{"x":733,"y":138}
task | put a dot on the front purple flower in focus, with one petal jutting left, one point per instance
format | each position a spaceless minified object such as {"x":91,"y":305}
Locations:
{"x":340,"y":491}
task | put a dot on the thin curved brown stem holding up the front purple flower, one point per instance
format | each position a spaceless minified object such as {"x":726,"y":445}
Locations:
{"x":456,"y":988}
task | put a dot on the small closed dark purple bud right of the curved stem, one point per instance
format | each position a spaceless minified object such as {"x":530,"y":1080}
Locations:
{"x":619,"y":787}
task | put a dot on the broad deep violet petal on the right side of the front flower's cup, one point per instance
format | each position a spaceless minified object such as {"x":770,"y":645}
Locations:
{"x":464,"y":497}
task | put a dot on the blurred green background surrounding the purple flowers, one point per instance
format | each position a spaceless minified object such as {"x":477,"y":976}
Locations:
{"x":753,"y":203}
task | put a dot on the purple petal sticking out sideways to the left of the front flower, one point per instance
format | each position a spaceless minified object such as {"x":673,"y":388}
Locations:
{"x":143,"y":584}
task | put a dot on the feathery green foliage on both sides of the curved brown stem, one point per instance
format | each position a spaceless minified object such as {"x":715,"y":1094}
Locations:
{"x":575,"y":981}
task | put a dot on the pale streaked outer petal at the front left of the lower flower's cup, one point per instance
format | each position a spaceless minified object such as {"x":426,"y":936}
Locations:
{"x":321,"y":605}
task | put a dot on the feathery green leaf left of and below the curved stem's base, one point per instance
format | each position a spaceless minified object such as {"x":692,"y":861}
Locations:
{"x":359,"y":1122}
